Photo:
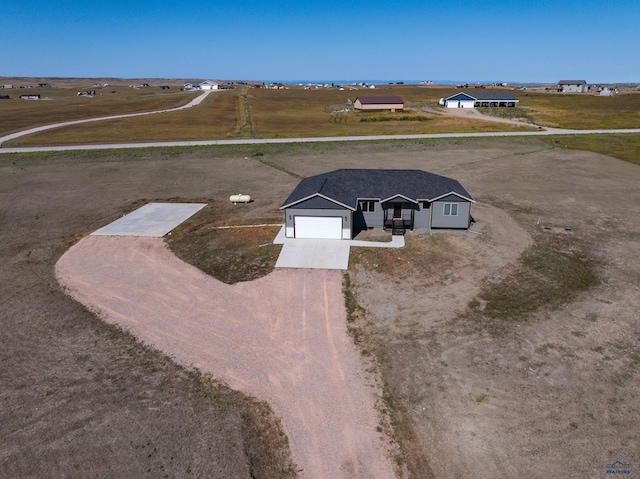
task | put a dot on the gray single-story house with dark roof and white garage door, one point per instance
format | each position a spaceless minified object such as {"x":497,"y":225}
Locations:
{"x":341,"y":203}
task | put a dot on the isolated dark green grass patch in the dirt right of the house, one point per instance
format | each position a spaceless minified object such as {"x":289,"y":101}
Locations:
{"x":545,"y":278}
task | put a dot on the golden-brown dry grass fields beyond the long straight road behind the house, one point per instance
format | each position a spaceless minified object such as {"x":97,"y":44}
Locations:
{"x":292,"y":112}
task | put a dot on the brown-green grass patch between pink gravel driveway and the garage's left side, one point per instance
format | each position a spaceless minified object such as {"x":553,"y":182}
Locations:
{"x":230,"y":255}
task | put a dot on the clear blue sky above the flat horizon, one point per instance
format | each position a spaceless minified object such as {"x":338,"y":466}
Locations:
{"x":518,"y":41}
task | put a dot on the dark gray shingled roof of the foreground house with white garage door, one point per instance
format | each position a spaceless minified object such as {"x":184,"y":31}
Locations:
{"x":347,"y":186}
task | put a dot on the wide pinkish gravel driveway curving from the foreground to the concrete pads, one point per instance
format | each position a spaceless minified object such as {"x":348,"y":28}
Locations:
{"x":282,"y":338}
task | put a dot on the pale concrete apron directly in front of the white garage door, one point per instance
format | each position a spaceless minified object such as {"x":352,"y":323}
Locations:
{"x":314,"y":254}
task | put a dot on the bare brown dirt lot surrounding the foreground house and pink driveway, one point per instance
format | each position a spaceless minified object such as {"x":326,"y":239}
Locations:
{"x":546,"y":392}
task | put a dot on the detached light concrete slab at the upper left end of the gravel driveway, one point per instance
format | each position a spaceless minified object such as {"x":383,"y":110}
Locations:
{"x":152,"y":219}
